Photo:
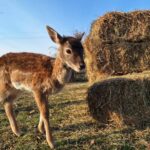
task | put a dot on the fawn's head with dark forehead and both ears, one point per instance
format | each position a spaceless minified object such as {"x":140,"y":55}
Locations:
{"x":70,"y":49}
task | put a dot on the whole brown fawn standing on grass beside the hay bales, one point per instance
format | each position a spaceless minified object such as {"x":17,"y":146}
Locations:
{"x":38,"y":74}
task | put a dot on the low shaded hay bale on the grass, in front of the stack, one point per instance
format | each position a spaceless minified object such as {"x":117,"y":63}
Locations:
{"x":121,"y":100}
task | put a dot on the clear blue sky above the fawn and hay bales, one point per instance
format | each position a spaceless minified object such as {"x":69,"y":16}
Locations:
{"x":22,"y":22}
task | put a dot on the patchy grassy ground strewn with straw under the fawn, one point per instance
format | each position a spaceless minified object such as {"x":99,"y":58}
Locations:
{"x":72,"y":126}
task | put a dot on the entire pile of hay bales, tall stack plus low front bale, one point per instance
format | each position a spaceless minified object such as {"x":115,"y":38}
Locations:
{"x":119,"y":44}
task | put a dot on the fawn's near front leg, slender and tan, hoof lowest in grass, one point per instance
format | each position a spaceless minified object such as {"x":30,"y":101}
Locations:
{"x":42,"y":103}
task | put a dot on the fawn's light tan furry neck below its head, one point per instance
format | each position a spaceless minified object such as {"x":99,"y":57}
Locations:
{"x":61,"y":72}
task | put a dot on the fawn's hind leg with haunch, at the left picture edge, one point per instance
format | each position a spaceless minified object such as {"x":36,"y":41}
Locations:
{"x":7,"y":94}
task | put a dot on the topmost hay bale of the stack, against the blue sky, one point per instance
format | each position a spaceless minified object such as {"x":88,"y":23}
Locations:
{"x":118,"y":26}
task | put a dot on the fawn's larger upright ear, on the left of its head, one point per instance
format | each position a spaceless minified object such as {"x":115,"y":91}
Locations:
{"x":57,"y":38}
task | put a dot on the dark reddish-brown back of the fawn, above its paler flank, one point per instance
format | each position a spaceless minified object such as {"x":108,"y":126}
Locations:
{"x":27,"y":62}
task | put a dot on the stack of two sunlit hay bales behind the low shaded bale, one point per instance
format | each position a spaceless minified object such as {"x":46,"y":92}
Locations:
{"x":118,"y":44}
